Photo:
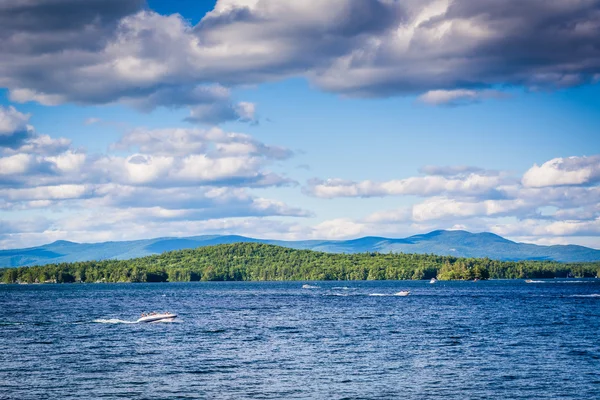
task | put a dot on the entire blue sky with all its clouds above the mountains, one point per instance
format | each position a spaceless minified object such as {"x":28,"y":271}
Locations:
{"x":132,"y":119}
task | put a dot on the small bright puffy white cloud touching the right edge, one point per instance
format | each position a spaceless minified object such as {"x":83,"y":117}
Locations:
{"x":564,"y":172}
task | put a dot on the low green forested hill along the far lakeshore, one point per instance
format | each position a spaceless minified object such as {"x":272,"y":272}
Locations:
{"x":259,"y":262}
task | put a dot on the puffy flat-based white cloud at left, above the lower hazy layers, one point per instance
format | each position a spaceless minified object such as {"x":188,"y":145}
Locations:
{"x":160,"y":158}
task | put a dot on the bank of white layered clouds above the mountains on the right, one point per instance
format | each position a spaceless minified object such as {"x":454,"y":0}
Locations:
{"x":563,"y":202}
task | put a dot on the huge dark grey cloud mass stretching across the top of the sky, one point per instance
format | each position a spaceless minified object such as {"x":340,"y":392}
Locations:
{"x":448,"y":51}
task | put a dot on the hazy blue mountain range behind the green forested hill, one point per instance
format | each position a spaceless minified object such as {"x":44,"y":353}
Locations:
{"x":455,"y":243}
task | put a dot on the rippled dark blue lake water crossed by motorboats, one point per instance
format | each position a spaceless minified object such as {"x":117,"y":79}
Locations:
{"x":451,"y":340}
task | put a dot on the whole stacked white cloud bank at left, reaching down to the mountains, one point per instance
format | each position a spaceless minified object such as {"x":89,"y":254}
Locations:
{"x":169,"y":176}
